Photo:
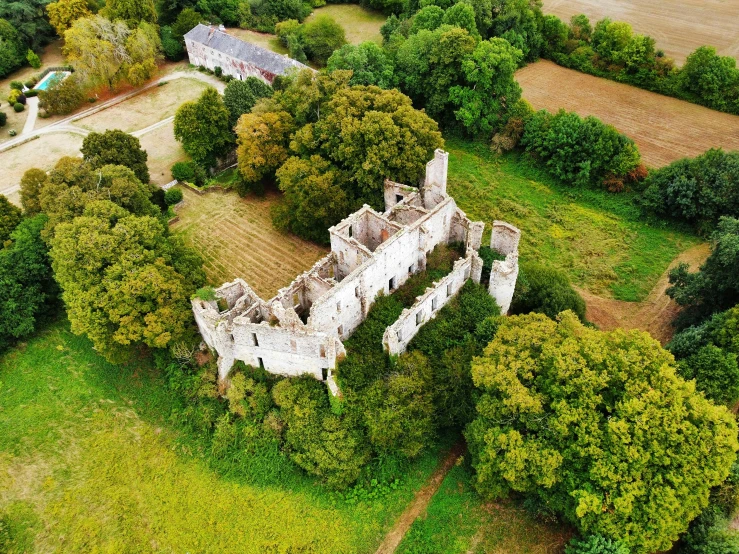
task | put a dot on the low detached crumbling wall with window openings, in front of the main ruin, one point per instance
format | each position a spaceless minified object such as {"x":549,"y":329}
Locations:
{"x":397,"y":336}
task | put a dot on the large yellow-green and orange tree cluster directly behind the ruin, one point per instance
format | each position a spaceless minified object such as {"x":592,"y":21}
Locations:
{"x":330,"y":165}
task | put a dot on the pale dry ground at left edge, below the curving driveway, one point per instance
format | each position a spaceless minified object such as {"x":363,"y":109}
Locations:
{"x":42,"y":152}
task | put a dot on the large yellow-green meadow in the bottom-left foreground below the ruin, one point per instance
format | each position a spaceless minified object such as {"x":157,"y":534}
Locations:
{"x":91,"y":463}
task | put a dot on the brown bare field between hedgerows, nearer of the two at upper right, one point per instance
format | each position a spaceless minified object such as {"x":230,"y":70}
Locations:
{"x":664,"y":128}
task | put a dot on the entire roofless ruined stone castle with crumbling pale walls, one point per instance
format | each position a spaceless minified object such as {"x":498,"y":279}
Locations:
{"x":300,"y":331}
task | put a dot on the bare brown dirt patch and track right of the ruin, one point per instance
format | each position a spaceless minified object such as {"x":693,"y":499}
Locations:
{"x":653,"y":314}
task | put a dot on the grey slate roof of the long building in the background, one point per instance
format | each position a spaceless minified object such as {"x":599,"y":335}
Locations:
{"x":245,"y":51}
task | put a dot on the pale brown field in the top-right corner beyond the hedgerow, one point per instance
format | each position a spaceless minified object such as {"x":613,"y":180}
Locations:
{"x":678,"y":26}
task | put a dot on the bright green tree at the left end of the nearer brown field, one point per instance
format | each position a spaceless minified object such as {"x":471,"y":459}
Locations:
{"x":490,"y":88}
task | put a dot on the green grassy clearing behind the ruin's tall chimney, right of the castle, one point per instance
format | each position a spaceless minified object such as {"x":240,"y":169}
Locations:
{"x":597,"y":238}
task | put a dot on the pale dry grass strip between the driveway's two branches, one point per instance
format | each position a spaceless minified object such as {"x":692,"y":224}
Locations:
{"x":146,"y":108}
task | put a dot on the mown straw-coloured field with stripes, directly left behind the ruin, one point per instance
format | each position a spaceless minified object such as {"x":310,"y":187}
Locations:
{"x":236,"y":239}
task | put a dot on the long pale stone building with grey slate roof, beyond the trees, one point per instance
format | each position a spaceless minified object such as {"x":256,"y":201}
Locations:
{"x":210,"y":47}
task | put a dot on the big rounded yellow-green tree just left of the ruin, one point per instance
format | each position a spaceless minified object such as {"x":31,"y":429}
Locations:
{"x":124,"y":281}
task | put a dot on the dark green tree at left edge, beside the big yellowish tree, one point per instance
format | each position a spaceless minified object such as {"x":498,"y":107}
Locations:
{"x":27,"y":285}
